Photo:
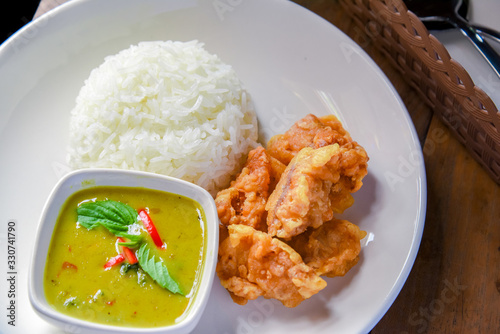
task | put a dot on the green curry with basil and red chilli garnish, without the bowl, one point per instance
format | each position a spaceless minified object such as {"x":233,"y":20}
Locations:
{"x":126,"y":256}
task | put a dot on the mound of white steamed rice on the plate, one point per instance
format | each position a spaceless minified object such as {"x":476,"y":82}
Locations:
{"x":165,"y":107}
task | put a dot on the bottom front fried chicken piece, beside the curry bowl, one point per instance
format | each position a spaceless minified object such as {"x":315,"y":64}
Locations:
{"x":252,"y":264}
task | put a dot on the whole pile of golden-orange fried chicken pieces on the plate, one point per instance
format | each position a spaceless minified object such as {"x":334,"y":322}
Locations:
{"x":278,"y":231}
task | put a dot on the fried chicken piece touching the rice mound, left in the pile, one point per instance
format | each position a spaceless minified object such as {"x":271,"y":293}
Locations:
{"x":245,"y":200}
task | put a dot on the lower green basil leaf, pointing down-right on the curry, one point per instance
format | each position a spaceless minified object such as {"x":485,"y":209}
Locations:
{"x":157,"y":270}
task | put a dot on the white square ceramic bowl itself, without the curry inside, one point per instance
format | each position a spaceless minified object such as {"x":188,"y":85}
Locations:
{"x":85,"y":178}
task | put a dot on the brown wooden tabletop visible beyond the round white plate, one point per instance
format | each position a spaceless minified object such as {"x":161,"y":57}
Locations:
{"x":454,"y":286}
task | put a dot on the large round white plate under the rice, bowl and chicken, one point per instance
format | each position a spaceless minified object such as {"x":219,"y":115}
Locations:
{"x":292,"y":63}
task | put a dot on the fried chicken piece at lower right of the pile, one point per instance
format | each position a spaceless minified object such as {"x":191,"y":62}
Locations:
{"x":332,"y":249}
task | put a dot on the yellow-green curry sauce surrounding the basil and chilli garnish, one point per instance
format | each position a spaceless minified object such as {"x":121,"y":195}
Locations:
{"x":75,"y":280}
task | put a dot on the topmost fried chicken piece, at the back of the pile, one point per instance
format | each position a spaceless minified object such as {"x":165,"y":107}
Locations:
{"x":310,"y":131}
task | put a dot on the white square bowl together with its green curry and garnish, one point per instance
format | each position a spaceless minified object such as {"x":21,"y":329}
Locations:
{"x":88,"y":276}
